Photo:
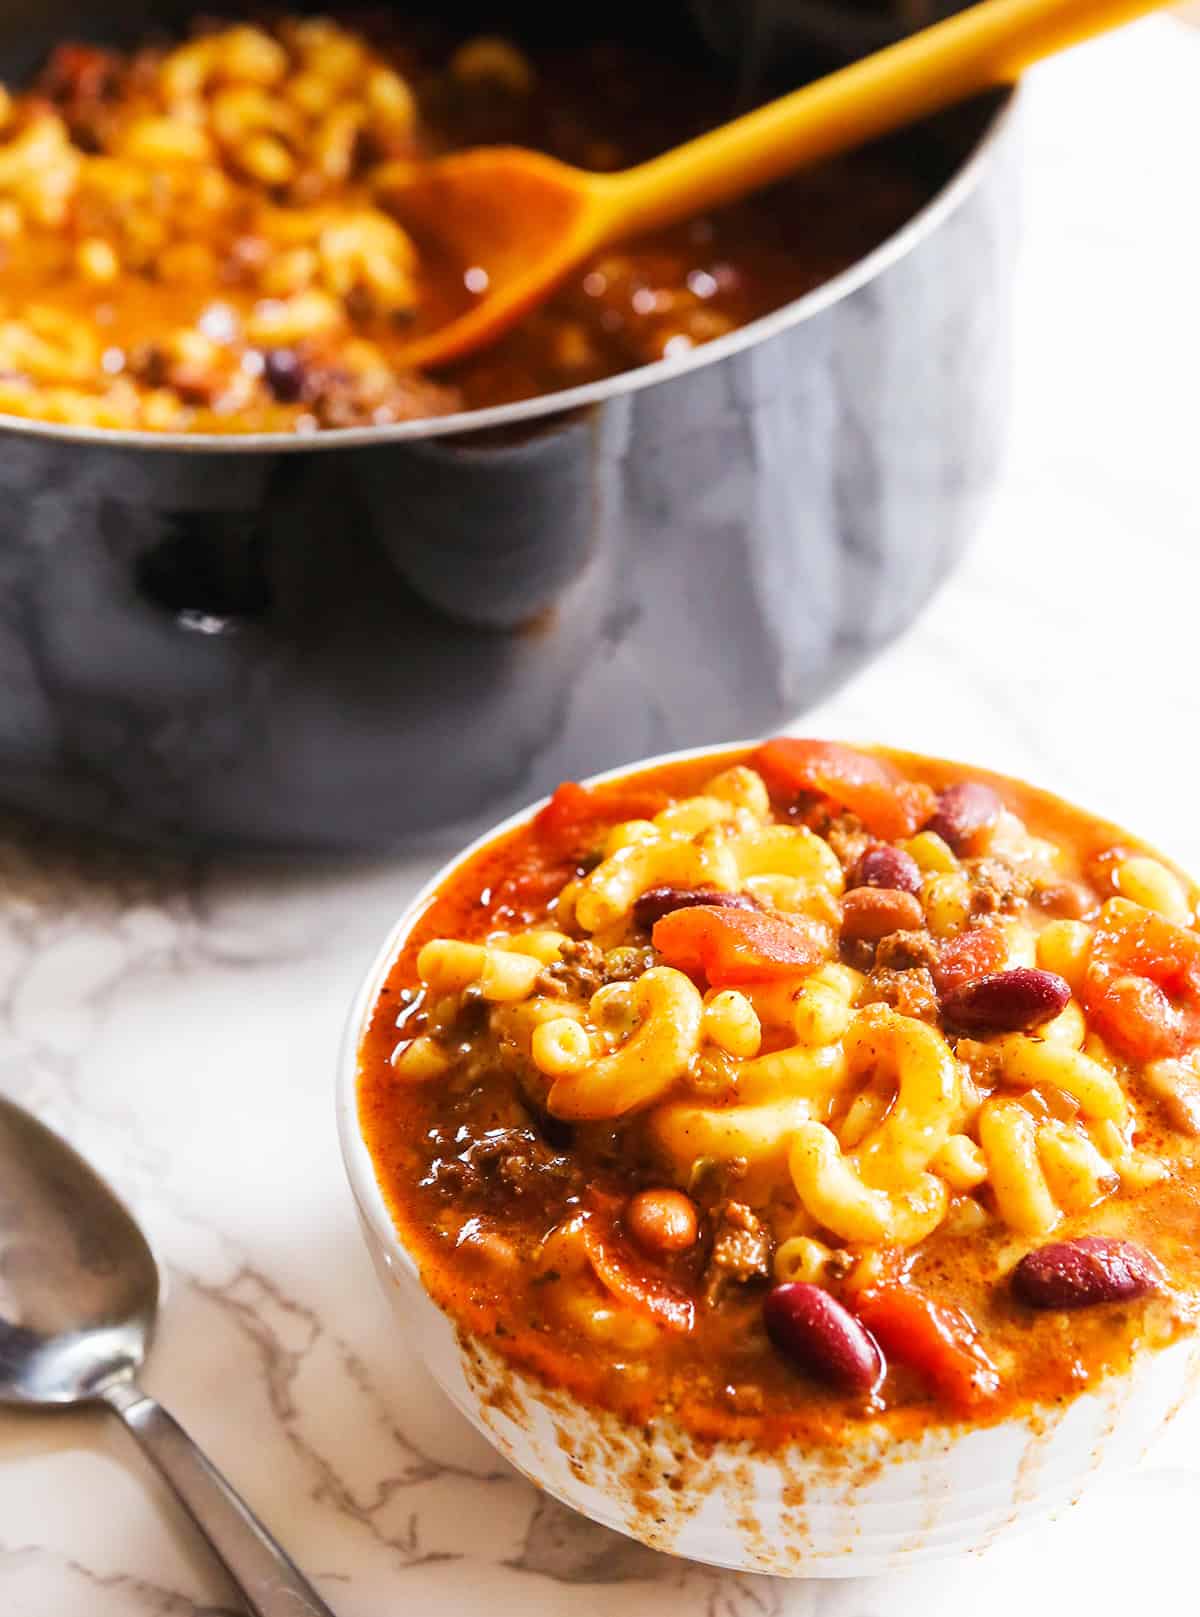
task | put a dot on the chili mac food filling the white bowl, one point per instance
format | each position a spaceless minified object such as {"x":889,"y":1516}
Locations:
{"x":703,"y":1097}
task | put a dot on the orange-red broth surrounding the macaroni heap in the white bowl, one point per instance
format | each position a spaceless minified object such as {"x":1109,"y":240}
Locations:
{"x":725,"y":1378}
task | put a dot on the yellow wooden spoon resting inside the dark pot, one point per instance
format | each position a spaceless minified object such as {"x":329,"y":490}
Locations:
{"x":522,"y":221}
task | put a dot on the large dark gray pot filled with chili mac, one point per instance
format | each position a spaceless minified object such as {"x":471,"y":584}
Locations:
{"x":725,"y":463}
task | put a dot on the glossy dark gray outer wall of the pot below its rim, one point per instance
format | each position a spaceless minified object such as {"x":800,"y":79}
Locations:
{"x":368,"y":648}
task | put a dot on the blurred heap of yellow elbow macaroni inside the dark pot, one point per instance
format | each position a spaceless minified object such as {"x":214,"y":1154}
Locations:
{"x":255,"y":164}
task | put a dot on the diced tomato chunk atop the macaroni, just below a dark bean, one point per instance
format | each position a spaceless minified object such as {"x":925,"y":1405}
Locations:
{"x":733,"y":947}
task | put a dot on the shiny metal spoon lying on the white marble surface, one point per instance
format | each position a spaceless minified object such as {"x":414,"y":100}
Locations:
{"x":78,"y":1301}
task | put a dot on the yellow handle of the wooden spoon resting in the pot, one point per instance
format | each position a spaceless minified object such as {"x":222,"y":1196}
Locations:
{"x":986,"y":46}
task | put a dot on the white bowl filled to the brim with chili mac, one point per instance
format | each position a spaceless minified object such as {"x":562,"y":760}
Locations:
{"x":788,"y":1155}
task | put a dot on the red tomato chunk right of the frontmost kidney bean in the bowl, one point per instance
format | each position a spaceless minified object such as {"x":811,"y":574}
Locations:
{"x":937,"y":1341}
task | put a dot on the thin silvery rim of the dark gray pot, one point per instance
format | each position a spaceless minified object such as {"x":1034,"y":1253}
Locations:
{"x":465,"y":423}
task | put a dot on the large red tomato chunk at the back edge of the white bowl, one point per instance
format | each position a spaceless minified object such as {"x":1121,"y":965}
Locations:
{"x":889,"y":806}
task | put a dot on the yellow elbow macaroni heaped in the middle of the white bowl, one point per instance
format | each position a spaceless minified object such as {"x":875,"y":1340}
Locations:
{"x":858,"y":1123}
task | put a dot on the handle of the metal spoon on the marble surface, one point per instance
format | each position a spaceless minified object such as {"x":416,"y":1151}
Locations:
{"x":266,"y":1577}
